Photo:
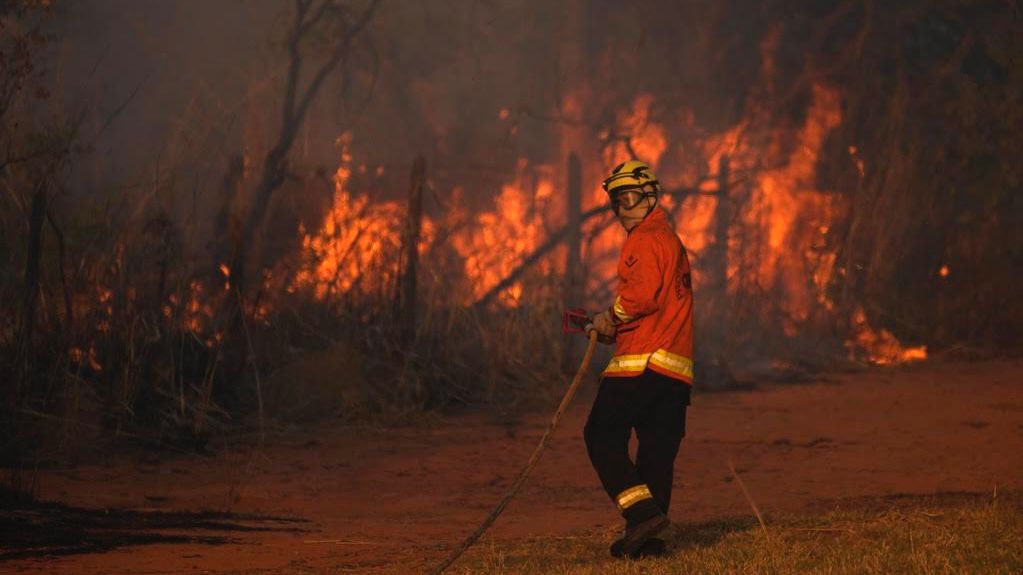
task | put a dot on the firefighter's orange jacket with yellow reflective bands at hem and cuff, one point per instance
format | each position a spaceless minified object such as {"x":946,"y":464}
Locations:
{"x":654,"y":307}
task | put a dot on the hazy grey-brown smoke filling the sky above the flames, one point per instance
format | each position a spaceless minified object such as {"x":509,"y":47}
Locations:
{"x":170,"y":91}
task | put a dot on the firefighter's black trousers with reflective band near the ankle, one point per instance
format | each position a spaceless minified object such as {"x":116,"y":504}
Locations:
{"x":652,"y":405}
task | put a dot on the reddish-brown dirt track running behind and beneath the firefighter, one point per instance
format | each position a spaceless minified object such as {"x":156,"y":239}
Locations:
{"x":393,"y":501}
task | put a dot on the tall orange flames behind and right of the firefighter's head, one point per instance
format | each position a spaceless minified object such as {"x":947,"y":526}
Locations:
{"x":785,"y":213}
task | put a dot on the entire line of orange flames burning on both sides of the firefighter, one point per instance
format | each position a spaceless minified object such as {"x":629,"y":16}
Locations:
{"x":784,"y":218}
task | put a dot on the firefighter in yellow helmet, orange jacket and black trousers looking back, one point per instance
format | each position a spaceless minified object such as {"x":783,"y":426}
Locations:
{"x":646,"y":387}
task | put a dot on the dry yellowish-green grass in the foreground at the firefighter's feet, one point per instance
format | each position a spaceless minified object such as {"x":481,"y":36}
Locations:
{"x":941,"y":535}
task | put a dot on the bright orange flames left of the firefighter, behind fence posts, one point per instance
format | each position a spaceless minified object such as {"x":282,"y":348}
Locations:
{"x":359,"y":244}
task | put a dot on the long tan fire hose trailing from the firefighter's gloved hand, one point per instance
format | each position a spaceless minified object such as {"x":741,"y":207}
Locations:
{"x":572,"y":319}
